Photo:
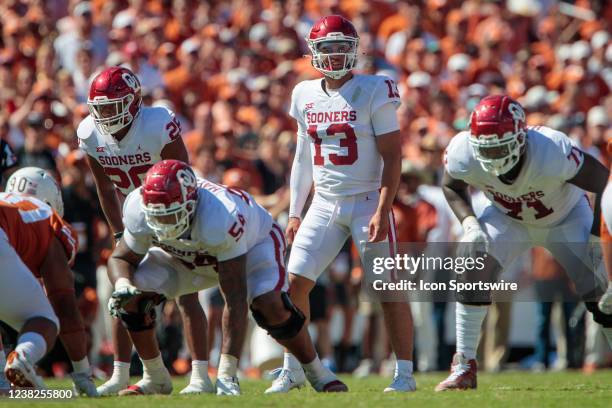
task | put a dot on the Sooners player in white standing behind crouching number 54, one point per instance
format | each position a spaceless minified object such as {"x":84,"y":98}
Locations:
{"x":123,"y":140}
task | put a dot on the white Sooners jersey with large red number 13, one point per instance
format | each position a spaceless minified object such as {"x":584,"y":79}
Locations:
{"x":338,"y":125}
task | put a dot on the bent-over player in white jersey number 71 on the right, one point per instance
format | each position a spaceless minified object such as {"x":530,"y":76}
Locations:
{"x":535,"y":179}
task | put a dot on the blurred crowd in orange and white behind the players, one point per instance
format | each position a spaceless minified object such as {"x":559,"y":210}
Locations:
{"x":227,"y":68}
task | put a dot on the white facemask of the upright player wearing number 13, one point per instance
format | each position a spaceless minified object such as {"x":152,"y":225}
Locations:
{"x":334,"y":46}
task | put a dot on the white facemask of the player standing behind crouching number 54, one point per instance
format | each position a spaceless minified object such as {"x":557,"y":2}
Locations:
{"x":111,"y":115}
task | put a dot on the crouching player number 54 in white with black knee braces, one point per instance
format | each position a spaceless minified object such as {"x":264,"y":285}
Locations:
{"x":210,"y":234}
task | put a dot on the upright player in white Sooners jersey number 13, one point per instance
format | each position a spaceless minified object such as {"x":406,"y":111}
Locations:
{"x":349,"y":143}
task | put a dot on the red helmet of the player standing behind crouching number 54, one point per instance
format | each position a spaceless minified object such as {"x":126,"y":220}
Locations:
{"x":114,"y":99}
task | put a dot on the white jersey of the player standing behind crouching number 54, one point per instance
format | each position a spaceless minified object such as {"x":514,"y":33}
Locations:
{"x":126,"y":162}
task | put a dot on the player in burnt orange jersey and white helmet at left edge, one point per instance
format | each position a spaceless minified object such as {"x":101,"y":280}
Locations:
{"x":35,"y":243}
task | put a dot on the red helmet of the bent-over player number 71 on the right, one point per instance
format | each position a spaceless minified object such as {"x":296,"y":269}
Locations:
{"x":498,"y":133}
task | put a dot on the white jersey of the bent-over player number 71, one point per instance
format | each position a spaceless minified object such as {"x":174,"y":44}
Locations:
{"x":541,"y":195}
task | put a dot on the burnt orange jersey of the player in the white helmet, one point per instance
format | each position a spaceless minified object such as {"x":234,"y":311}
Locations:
{"x":30,"y":225}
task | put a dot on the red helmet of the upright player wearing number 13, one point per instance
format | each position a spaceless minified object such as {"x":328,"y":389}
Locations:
{"x":330,"y":37}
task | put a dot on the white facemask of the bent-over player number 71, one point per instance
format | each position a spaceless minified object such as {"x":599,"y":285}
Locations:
{"x":498,"y":155}
